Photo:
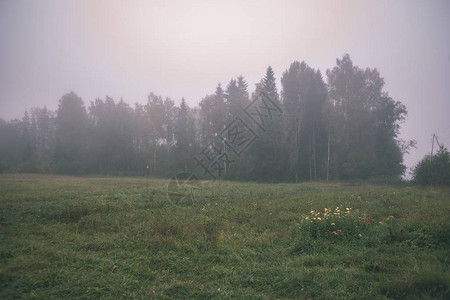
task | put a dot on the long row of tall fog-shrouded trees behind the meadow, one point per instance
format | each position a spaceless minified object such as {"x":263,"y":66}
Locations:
{"x":343,"y":127}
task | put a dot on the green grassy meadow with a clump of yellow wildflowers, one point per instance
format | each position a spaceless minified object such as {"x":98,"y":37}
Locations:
{"x":83,"y":237}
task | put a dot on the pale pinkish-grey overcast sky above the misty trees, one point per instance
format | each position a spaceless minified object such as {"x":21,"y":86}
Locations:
{"x":127,"y":49}
